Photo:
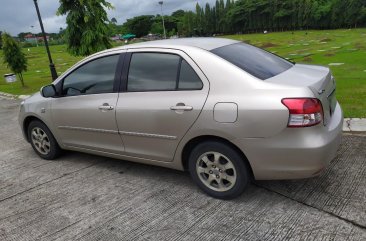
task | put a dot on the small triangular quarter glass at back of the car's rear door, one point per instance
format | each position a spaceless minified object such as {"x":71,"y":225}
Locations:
{"x":188,"y":79}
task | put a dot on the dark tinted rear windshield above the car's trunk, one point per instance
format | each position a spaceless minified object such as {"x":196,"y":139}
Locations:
{"x":253,"y":60}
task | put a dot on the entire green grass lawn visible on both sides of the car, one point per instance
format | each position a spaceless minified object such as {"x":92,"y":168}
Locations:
{"x":345,"y":47}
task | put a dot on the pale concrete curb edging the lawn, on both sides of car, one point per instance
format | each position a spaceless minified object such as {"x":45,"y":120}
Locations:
{"x":349,"y":124}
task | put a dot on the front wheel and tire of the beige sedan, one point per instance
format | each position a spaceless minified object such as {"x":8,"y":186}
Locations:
{"x":42,"y":141}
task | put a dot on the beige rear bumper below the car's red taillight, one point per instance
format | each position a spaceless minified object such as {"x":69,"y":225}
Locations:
{"x":295,"y":153}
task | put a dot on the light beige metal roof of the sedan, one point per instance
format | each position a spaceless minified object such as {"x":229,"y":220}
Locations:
{"x":202,"y":43}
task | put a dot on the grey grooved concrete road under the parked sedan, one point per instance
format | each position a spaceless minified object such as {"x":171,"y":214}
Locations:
{"x":85,"y":197}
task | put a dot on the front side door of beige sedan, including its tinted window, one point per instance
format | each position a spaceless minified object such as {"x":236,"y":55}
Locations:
{"x":84,"y":114}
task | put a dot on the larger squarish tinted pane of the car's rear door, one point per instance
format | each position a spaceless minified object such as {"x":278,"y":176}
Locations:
{"x":152,"y":72}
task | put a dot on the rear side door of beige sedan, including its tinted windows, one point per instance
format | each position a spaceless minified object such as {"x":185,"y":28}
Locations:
{"x":163,"y":95}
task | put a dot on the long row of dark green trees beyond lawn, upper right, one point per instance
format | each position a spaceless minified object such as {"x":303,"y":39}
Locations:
{"x":233,"y":16}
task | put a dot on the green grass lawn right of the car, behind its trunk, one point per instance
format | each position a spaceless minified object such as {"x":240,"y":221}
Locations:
{"x":345,"y":47}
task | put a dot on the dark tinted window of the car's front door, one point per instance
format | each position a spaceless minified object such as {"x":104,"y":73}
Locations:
{"x":94,"y":77}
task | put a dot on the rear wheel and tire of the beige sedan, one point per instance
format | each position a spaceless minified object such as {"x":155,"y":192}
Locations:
{"x":219,"y":170}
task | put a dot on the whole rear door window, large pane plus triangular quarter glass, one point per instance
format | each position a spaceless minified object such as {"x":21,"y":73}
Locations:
{"x":161,"y":72}
